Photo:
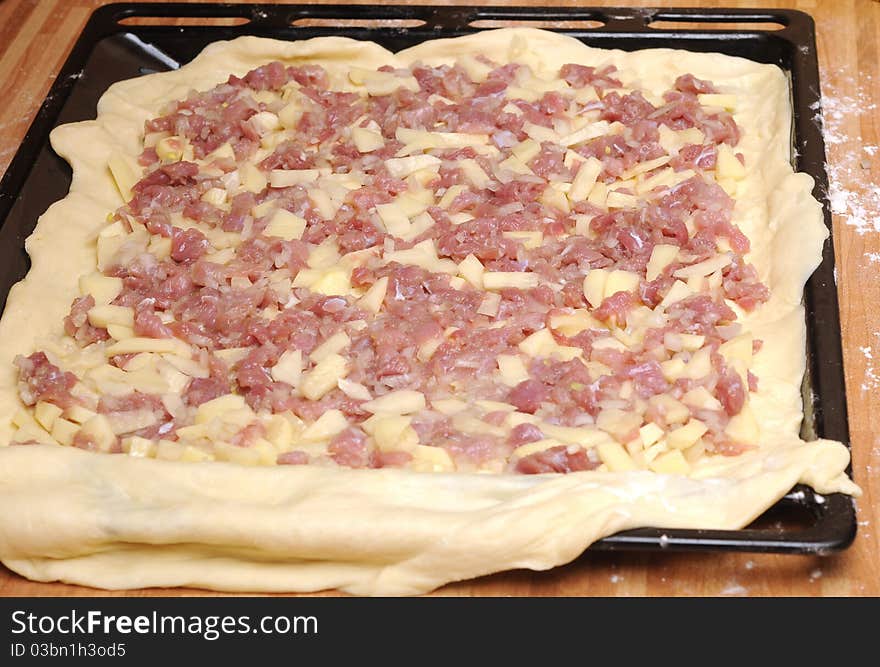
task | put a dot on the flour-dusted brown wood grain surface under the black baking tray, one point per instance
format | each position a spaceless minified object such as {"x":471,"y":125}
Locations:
{"x":36,"y":35}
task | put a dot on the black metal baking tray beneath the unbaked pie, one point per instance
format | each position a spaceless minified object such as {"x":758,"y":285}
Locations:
{"x":158,"y":37}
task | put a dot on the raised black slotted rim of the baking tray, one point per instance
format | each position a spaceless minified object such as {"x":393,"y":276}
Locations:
{"x":834,"y":526}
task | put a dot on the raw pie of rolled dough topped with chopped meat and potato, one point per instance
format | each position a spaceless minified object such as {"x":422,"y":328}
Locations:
{"x":456,"y":310}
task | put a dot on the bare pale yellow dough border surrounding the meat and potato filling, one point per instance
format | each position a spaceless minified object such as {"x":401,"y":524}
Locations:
{"x":115,"y":522}
